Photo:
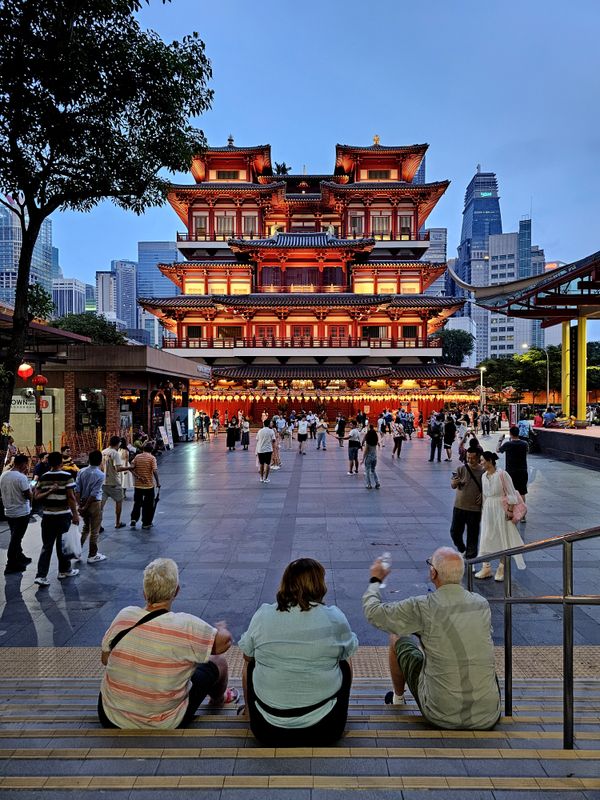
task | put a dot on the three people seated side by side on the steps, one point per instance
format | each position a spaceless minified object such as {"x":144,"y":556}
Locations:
{"x":297,"y":672}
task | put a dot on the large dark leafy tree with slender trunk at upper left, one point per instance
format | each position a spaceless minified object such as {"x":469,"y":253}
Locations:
{"x":91,"y":107}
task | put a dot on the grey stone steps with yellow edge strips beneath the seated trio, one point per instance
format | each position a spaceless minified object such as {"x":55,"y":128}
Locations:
{"x":51,"y":742}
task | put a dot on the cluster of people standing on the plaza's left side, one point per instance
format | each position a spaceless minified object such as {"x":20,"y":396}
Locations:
{"x":64,"y":494}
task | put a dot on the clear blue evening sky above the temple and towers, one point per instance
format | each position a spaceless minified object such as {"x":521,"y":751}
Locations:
{"x":510,"y":85}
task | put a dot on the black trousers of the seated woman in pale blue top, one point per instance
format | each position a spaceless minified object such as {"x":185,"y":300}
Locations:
{"x":326,"y":732}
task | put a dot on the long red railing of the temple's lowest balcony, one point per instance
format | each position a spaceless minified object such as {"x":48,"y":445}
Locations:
{"x":256,"y":342}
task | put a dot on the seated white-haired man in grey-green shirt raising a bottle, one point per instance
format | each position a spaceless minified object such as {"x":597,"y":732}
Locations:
{"x":451,"y":675}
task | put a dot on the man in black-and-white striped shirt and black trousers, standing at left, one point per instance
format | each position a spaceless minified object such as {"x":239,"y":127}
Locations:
{"x":59,"y":509}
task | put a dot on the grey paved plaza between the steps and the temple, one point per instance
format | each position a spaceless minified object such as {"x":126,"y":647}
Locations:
{"x":232,"y":536}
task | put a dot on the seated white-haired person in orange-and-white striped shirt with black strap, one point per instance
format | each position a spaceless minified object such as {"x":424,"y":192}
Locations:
{"x":160,"y":665}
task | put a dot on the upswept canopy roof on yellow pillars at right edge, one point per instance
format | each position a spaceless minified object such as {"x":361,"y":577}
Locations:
{"x":569,"y":293}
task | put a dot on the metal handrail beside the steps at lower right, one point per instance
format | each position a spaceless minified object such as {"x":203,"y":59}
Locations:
{"x":567,"y":599}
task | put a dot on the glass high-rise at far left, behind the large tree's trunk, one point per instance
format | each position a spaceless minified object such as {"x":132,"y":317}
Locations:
{"x":10,"y":250}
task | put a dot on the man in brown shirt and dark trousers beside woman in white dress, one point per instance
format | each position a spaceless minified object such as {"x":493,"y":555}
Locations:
{"x":467,"y":504}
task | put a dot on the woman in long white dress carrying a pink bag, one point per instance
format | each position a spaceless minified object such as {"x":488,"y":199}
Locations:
{"x":498,"y":531}
